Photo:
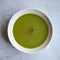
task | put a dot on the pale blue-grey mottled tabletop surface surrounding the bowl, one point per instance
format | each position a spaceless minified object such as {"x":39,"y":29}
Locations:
{"x":51,"y":8}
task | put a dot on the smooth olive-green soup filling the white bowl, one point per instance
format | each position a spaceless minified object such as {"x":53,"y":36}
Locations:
{"x":30,"y":30}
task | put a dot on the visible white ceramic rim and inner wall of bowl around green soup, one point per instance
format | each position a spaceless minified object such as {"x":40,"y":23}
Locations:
{"x":10,"y":30}
